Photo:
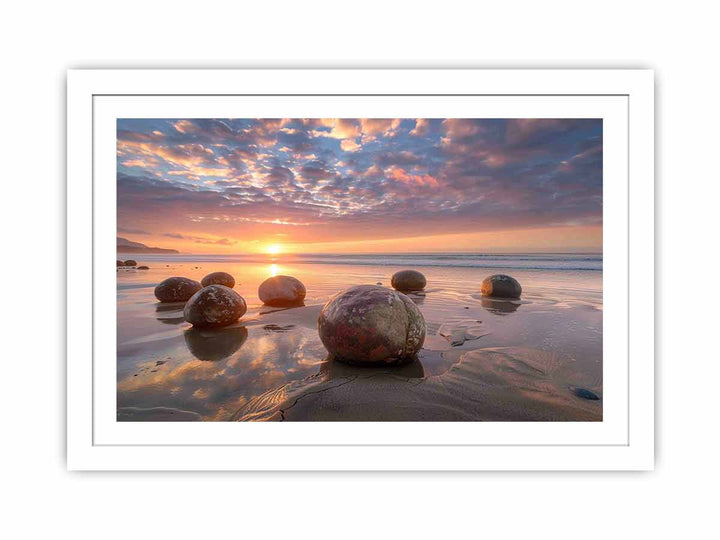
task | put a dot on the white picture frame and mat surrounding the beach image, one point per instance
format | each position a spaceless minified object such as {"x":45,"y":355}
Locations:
{"x":623,"y":98}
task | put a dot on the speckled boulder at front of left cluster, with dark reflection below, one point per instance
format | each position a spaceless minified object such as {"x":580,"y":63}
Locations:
{"x":214,"y":306}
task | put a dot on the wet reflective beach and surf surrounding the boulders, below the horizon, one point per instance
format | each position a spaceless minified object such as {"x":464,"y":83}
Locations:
{"x":482,"y":359}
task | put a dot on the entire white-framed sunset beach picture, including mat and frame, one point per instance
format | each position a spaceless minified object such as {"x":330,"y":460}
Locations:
{"x":360,"y":270}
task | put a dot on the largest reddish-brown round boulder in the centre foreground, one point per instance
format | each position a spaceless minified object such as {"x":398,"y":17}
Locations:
{"x":368,"y":324}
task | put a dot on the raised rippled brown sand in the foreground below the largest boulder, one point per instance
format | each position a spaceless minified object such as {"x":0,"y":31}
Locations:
{"x":502,"y":384}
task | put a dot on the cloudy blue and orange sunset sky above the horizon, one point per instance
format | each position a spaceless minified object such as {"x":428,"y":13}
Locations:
{"x":361,"y":185}
